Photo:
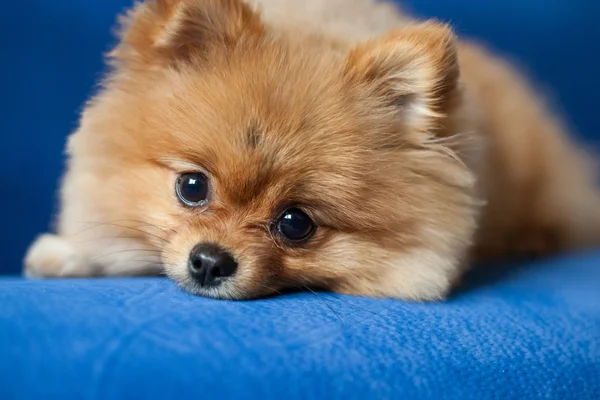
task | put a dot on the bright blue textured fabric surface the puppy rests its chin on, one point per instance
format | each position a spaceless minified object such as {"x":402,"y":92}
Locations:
{"x":513,"y":334}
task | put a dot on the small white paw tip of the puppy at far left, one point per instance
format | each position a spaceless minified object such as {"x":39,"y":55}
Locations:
{"x":52,"y":256}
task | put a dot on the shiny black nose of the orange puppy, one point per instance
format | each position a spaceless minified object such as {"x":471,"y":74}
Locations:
{"x":209,"y":264}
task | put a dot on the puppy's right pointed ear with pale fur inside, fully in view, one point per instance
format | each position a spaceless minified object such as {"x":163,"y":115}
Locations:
{"x":413,"y":69}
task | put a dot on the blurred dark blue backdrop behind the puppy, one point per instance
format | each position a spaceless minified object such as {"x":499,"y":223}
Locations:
{"x":52,"y":58}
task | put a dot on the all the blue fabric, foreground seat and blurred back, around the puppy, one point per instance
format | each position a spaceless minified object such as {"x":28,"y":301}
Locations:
{"x":528,"y":333}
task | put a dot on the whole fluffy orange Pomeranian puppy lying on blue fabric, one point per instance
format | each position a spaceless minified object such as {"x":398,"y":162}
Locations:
{"x":243,"y":149}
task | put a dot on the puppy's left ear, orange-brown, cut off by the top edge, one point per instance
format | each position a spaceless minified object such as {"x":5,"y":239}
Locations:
{"x":172,"y":31}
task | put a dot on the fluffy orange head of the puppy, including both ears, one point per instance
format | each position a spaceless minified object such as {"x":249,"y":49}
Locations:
{"x":273,"y":159}
